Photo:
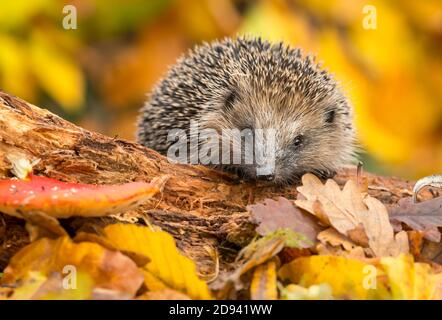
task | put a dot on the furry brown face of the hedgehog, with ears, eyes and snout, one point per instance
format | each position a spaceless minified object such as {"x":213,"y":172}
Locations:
{"x":289,"y":133}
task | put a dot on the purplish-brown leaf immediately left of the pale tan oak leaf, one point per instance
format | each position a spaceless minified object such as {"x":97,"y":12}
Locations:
{"x":273,"y":215}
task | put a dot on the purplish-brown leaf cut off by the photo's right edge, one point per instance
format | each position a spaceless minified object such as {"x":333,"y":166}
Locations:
{"x":423,"y":216}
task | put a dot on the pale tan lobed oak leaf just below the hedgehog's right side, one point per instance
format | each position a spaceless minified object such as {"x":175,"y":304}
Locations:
{"x":347,"y":210}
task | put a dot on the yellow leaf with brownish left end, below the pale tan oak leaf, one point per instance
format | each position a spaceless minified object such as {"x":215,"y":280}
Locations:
{"x":349,"y":278}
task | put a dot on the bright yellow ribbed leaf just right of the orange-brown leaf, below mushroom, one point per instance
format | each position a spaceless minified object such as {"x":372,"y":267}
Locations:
{"x":166,"y":264}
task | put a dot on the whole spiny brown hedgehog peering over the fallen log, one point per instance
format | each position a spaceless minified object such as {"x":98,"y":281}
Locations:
{"x":245,"y":86}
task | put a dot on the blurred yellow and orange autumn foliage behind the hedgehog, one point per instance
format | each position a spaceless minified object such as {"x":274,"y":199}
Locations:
{"x":98,"y":74}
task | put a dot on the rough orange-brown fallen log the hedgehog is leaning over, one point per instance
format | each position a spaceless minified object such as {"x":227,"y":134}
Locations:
{"x":202,"y":208}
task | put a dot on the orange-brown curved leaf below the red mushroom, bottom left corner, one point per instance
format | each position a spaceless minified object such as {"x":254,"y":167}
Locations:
{"x":108,"y":269}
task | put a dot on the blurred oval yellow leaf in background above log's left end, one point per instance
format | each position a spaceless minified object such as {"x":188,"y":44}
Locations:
{"x":56,"y":72}
